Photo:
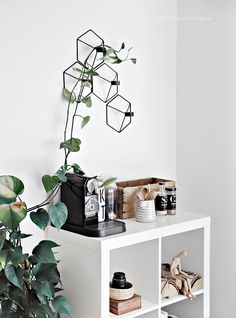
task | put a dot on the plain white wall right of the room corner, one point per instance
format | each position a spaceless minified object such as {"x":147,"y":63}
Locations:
{"x":206,"y":149}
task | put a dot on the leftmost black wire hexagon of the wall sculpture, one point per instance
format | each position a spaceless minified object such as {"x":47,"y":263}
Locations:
{"x":82,"y":87}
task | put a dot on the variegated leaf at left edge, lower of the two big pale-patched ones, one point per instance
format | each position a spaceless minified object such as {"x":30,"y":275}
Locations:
{"x":12,"y":214}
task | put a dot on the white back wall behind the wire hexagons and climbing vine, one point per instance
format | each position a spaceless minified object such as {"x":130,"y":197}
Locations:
{"x":38,"y":43}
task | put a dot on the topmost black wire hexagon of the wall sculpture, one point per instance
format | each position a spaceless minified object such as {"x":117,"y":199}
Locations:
{"x":89,"y":49}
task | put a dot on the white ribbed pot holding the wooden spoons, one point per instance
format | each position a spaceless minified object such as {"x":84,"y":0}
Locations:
{"x":145,"y":211}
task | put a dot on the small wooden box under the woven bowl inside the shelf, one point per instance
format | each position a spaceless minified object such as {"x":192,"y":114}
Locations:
{"x":120,"y":307}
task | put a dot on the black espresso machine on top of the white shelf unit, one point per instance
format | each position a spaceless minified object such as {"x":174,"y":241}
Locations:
{"x":85,"y":202}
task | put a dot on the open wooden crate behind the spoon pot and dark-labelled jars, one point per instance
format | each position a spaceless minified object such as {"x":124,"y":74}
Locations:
{"x":126,"y":199}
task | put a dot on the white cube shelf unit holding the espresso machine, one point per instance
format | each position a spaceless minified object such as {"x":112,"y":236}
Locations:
{"x":87,"y":265}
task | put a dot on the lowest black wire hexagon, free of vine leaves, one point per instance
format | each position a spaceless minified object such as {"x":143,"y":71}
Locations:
{"x":118,"y":113}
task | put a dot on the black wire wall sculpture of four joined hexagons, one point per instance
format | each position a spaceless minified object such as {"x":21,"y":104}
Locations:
{"x":99,"y":79}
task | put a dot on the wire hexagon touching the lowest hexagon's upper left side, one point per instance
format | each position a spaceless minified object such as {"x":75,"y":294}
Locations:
{"x":105,"y":84}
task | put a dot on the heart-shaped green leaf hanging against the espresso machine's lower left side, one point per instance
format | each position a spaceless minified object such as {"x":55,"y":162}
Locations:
{"x":58,"y":214}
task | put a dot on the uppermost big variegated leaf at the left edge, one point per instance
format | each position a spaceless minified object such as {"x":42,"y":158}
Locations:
{"x":10,"y":188}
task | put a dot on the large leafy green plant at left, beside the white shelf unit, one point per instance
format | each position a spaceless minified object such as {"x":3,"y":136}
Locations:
{"x":28,"y":283}
